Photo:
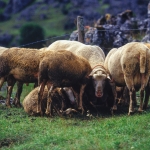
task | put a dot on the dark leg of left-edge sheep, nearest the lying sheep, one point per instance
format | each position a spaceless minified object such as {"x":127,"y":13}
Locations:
{"x":16,"y":101}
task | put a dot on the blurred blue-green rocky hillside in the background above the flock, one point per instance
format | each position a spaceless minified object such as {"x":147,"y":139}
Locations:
{"x":57,"y":17}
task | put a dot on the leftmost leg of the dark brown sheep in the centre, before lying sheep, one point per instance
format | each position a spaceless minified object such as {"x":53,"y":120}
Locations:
{"x":40,"y":94}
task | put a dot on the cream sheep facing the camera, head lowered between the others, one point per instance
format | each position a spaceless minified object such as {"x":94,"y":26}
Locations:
{"x":95,"y":56}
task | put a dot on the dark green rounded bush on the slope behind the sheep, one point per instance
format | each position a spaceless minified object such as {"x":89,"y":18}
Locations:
{"x":30,"y":33}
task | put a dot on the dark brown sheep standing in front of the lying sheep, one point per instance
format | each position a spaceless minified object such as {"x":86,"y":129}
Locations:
{"x":62,"y":69}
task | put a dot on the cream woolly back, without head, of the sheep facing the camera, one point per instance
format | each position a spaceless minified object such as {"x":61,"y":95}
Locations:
{"x":92,"y":53}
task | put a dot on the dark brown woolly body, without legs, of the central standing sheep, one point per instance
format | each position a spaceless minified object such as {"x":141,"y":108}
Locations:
{"x":64,"y":67}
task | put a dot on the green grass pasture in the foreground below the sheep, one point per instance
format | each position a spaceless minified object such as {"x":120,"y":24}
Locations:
{"x":18,"y":131}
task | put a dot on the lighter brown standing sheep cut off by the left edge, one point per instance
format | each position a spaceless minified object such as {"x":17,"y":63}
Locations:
{"x":19,"y":64}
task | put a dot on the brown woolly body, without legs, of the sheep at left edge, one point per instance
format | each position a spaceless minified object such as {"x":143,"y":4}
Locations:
{"x":21,"y":62}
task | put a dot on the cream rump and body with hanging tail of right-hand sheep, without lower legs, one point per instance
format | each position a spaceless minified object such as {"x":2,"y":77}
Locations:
{"x":128,"y":60}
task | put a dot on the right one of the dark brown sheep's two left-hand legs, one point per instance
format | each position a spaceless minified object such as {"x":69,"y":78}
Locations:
{"x":49,"y":101}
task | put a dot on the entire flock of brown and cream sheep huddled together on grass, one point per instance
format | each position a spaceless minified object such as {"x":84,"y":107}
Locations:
{"x":70,"y":76}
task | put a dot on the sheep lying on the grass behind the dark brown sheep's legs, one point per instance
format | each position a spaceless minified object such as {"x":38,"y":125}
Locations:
{"x":59,"y":99}
